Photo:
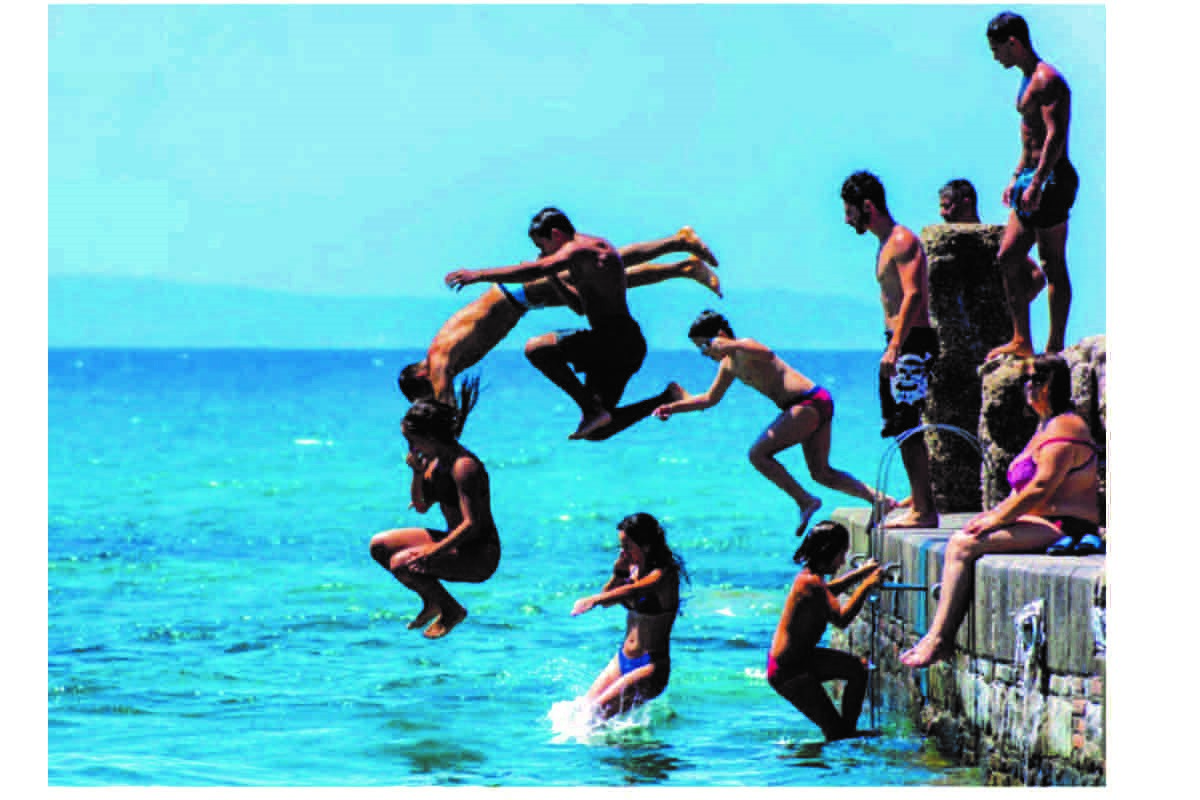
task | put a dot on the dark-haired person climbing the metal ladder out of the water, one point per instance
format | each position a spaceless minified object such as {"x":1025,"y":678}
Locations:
{"x":796,"y":666}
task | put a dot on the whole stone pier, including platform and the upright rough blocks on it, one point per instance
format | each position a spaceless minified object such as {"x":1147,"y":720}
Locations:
{"x":1025,"y":694}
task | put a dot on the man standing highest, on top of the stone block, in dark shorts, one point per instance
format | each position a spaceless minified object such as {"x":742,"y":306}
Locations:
{"x":1041,"y":191}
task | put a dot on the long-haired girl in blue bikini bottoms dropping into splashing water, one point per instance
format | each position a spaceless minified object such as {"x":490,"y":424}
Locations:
{"x":646,"y":581}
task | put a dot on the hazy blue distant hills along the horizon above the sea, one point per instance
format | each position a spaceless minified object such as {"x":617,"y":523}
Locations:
{"x":87,"y":311}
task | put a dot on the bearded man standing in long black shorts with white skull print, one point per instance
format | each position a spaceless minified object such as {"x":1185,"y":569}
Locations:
{"x":913,"y":347}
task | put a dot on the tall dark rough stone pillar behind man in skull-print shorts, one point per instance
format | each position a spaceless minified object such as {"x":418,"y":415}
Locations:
{"x":968,"y":308}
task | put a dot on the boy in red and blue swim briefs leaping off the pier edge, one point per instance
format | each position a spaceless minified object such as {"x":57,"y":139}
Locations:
{"x":806,"y":413}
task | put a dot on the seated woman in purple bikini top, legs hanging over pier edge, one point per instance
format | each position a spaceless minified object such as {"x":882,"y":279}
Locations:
{"x":1054,"y":507}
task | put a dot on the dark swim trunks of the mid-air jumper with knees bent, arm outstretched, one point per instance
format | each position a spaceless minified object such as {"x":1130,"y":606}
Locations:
{"x":609,"y":354}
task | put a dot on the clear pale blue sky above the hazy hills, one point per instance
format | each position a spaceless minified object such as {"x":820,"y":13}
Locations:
{"x":371,"y":149}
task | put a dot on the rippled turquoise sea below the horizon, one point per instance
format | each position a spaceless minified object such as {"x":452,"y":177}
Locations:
{"x":215,"y":618}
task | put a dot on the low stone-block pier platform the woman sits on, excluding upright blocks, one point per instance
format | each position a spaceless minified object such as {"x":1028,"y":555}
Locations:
{"x":1027,"y":703}
